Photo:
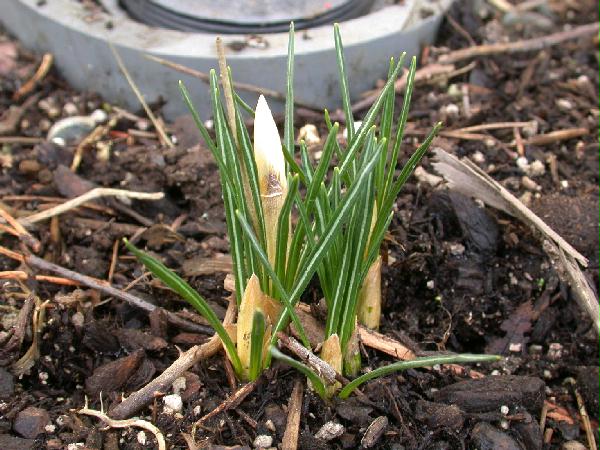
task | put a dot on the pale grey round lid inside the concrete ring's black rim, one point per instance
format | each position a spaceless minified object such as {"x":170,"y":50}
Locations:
{"x":242,"y":16}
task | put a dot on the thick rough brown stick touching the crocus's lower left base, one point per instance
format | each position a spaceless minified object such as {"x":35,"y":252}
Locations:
{"x":143,"y":397}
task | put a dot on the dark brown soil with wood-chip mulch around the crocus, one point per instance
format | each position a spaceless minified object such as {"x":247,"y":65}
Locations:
{"x":459,"y":277}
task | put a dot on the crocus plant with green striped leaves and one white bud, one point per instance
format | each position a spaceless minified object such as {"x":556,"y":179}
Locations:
{"x":289,"y":219}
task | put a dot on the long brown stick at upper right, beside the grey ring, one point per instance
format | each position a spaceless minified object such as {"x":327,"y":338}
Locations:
{"x":526,"y":45}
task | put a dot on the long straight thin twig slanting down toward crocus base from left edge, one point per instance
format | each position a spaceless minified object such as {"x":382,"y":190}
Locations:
{"x":107,"y":289}
